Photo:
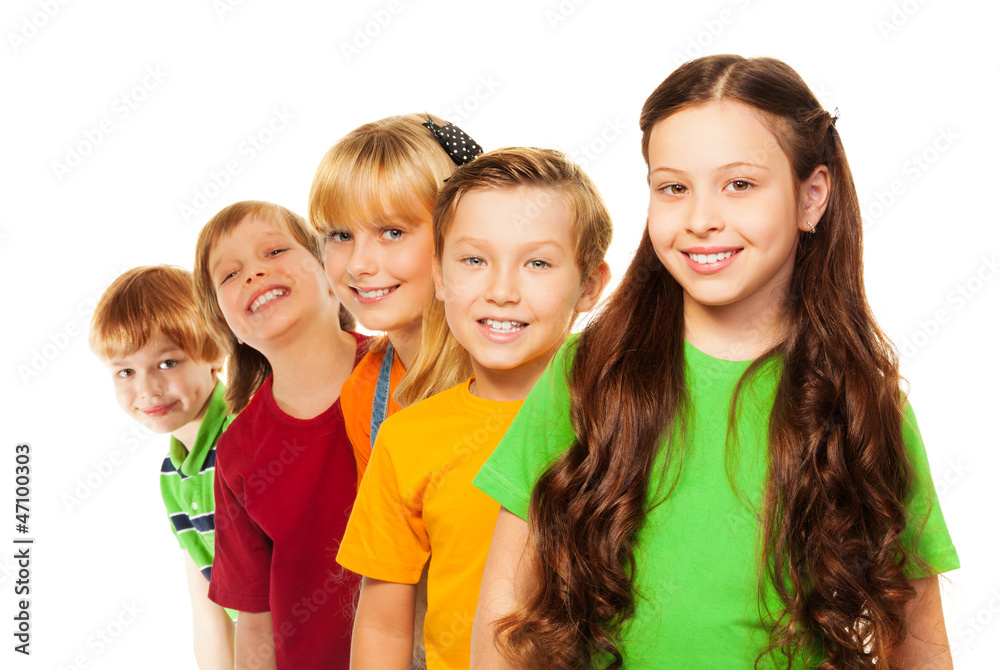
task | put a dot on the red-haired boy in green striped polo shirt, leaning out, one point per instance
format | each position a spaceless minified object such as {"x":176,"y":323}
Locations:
{"x":164,"y":362}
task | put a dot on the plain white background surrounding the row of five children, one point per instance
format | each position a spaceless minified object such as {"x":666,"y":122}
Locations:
{"x":904,"y":74}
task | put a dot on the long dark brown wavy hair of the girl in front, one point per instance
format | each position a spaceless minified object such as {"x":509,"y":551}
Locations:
{"x":838,"y":478}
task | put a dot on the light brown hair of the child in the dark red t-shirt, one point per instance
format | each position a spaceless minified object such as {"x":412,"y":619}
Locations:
{"x":248,"y":367}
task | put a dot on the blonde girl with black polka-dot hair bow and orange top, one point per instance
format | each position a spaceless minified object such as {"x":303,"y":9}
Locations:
{"x":371,"y":200}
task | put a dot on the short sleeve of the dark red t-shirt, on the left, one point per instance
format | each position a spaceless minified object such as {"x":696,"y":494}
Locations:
{"x":241,"y":570}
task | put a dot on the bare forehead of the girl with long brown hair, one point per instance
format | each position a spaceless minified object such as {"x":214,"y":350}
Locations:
{"x":712,"y":135}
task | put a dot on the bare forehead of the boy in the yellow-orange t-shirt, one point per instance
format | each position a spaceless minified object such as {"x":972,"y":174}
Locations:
{"x":525,"y":214}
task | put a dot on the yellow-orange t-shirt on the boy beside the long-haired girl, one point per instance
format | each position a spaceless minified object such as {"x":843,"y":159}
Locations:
{"x":417,"y":502}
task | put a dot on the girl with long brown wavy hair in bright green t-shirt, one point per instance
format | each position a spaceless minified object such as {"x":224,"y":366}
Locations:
{"x":722,"y":471}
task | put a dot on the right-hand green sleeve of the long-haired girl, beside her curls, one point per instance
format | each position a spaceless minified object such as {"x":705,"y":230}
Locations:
{"x":926,"y":534}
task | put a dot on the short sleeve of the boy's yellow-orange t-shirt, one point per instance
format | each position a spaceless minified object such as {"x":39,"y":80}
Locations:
{"x":385,"y":537}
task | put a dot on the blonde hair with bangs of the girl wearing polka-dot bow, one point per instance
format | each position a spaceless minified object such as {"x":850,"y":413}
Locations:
{"x":381,"y":170}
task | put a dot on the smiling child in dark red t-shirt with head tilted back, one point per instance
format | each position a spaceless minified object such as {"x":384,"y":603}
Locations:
{"x":286,"y":476}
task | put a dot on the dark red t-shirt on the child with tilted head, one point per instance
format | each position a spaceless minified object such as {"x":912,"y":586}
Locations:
{"x":284,"y":488}
